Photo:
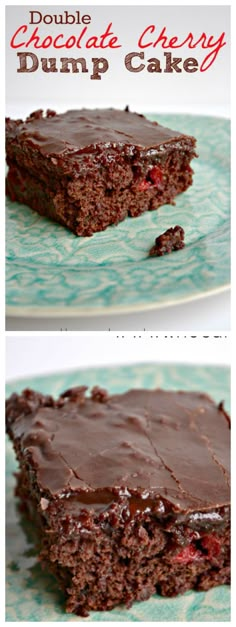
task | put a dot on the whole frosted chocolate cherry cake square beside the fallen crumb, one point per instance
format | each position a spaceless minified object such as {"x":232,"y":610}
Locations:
{"x":89,"y":169}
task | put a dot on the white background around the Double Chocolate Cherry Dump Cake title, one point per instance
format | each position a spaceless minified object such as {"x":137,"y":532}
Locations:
{"x":200,"y":91}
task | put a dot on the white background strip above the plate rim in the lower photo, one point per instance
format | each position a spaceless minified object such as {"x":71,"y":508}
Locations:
{"x":28,"y":356}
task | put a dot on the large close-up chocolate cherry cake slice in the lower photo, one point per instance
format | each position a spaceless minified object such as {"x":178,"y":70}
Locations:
{"x":129,"y":493}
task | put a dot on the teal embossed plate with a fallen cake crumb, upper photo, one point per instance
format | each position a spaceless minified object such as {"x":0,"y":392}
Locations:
{"x":50,"y":272}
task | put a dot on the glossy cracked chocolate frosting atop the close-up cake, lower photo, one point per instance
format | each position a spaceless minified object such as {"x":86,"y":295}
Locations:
{"x":149,"y":443}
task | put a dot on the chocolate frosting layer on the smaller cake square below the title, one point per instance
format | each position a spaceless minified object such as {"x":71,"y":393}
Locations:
{"x":76,"y":132}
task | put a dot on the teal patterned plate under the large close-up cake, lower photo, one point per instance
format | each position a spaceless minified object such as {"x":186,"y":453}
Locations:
{"x":32,"y":595}
